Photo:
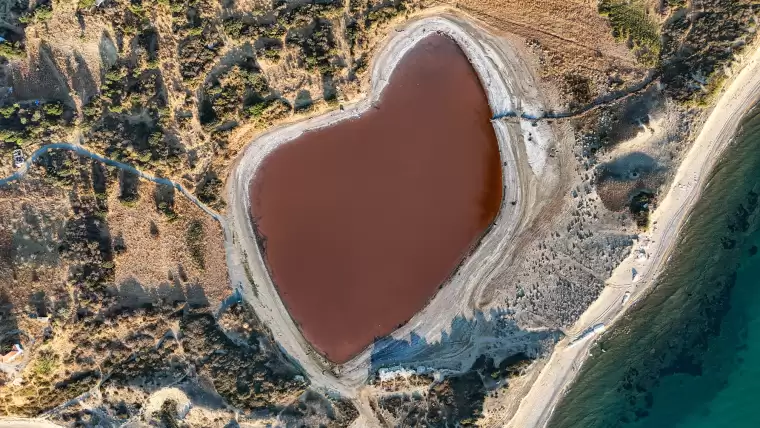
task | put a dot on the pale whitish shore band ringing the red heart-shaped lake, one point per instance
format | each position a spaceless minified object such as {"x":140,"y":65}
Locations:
{"x":510,"y":87}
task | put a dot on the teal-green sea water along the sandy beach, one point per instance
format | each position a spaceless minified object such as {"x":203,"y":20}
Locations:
{"x":688,"y":354}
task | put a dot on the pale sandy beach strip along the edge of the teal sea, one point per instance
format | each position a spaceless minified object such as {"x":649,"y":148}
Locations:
{"x":653,"y":248}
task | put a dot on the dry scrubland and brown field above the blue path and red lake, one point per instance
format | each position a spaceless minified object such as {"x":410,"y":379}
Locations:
{"x":180,"y":86}
